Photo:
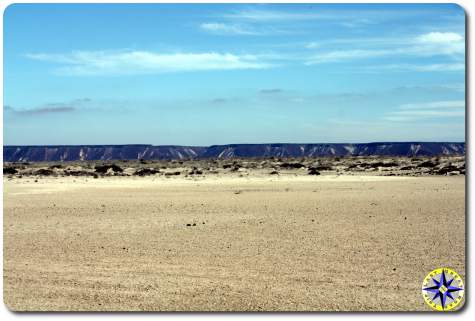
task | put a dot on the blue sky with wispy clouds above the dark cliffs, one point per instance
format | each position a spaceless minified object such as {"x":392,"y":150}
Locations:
{"x":208,"y":74}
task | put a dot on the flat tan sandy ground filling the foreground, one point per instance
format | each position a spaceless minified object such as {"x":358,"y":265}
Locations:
{"x":238,"y":243}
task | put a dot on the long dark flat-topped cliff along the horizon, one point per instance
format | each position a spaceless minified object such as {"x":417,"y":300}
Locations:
{"x":119,"y":152}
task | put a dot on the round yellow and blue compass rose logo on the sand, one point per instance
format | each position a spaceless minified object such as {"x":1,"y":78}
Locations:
{"x":443,"y":289}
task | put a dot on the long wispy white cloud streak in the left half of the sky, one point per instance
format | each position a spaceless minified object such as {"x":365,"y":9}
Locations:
{"x":146,"y":62}
